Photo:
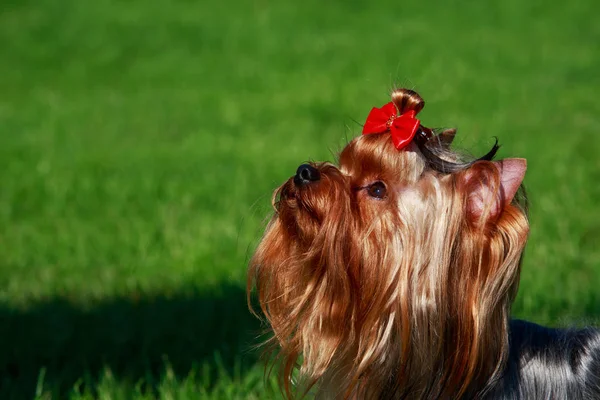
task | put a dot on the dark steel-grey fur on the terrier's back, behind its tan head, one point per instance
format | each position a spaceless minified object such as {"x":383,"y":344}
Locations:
{"x":547,"y":363}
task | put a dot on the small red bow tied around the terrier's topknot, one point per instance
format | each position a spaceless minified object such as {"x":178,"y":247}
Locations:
{"x":402,"y":128}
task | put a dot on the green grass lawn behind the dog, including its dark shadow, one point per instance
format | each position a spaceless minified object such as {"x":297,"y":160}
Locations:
{"x":140,"y":142}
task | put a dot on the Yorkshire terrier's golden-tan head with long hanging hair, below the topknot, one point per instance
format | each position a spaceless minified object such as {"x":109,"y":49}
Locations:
{"x":378,"y":269}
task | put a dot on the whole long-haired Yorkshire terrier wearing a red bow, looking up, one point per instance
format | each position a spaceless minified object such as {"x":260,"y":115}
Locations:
{"x":391,"y":275}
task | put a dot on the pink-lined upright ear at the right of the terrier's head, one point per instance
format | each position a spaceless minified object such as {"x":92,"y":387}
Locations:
{"x":491,"y":186}
